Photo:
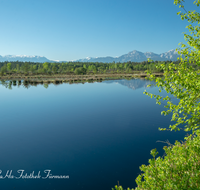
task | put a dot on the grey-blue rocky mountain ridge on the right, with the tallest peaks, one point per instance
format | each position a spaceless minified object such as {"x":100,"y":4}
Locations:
{"x":135,"y":56}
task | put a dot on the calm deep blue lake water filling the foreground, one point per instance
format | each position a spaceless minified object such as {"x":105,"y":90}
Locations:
{"x":95,"y":133}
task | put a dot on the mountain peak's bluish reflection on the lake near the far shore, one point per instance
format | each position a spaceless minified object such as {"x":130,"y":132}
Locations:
{"x":133,"y":83}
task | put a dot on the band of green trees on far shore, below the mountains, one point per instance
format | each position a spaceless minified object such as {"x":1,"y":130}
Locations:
{"x":78,"y":68}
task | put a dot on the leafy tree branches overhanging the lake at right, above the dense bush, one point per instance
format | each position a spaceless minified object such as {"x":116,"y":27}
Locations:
{"x":182,"y":81}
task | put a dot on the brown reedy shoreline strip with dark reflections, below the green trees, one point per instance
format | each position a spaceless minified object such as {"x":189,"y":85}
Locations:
{"x":27,"y":81}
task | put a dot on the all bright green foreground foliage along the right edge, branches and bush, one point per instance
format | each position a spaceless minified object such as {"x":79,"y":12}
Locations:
{"x":180,"y":167}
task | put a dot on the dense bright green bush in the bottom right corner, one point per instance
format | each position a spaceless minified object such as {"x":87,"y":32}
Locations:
{"x":179,"y":169}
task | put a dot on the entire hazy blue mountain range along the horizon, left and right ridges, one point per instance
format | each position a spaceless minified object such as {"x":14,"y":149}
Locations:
{"x":134,"y":56}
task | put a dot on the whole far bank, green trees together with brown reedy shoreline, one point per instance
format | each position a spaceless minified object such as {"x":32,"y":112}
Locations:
{"x":31,"y":73}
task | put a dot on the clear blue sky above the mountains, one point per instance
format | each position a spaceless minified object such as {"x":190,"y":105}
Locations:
{"x":74,"y":29}
